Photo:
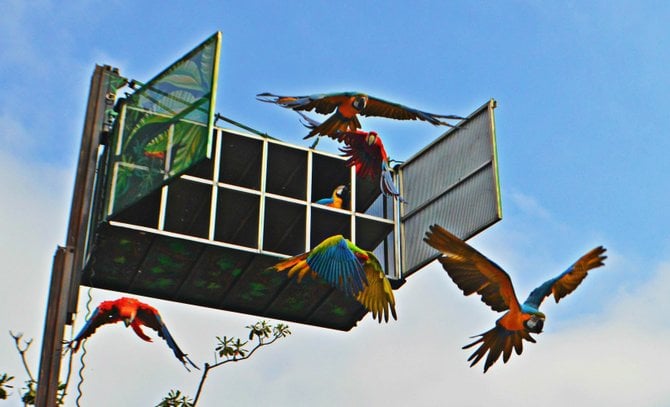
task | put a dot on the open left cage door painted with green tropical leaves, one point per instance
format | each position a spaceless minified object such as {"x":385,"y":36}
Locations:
{"x":164,"y":128}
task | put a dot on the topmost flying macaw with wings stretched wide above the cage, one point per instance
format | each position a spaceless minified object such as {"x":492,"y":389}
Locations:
{"x":346,"y":106}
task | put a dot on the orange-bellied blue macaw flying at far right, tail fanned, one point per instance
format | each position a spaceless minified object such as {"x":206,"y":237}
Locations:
{"x":473,"y":272}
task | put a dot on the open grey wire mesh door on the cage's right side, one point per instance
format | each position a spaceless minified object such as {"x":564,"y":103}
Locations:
{"x":452,"y":182}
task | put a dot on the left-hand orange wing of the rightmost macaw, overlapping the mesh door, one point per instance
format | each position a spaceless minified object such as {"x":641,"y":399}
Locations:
{"x":472,"y":271}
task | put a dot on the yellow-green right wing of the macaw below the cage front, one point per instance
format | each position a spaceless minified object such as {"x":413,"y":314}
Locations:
{"x":377,"y":296}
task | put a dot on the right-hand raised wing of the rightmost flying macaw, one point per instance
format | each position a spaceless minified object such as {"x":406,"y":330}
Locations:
{"x":569,"y":280}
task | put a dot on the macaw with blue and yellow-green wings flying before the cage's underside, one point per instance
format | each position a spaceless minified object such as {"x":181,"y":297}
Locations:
{"x":345,"y":266}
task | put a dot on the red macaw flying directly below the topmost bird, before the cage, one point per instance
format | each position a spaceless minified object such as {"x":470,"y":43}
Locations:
{"x":365,"y":151}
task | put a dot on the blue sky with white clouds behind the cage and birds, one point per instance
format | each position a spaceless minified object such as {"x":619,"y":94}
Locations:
{"x":582,"y":94}
